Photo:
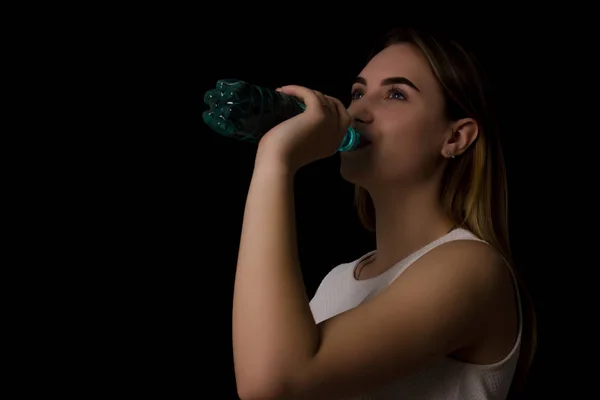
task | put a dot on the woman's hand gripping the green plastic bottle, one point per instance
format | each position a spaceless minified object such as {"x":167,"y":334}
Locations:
{"x":310,"y":136}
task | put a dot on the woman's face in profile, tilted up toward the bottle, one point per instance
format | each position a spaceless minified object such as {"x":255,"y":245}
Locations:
{"x":398,"y":105}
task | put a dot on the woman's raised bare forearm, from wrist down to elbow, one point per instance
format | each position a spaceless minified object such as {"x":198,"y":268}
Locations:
{"x":274,"y":332}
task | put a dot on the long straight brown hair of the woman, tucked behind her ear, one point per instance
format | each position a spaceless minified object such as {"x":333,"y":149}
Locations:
{"x":474,"y":188}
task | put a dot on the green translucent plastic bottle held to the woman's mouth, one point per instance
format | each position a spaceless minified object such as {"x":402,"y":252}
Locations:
{"x":246,"y":112}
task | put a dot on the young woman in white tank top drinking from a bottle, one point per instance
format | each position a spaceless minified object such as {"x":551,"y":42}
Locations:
{"x":436,"y":311}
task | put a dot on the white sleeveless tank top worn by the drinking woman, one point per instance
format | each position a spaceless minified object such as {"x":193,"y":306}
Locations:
{"x":446,"y":378}
